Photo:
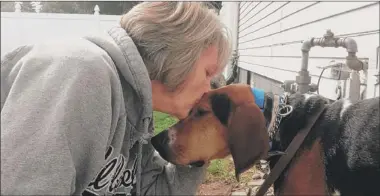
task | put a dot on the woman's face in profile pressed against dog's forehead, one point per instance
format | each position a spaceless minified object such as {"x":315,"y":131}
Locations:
{"x":197,"y":82}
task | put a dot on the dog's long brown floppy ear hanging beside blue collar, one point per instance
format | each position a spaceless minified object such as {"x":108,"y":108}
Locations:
{"x":247,"y":137}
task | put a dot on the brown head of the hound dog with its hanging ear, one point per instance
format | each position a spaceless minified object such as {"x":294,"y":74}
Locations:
{"x":203,"y":137}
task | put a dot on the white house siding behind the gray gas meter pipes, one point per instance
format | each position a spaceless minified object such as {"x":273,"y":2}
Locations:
{"x":270,"y":35}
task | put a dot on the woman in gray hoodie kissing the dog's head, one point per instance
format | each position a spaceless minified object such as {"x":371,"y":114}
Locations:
{"x":77,"y":114}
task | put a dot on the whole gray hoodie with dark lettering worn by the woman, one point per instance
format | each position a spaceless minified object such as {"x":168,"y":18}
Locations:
{"x":76,"y":119}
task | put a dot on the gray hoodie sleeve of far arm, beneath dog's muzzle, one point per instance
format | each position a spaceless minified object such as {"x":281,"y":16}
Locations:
{"x":162,"y":178}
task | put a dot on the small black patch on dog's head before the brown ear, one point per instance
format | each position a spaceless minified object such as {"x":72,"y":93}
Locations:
{"x":221,"y":106}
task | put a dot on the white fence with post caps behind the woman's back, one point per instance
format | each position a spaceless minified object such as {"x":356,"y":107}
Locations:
{"x":19,"y":28}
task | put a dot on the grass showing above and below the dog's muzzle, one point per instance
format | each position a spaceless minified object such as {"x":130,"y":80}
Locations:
{"x":218,"y":170}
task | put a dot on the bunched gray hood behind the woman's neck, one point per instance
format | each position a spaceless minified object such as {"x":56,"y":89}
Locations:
{"x":127,"y":59}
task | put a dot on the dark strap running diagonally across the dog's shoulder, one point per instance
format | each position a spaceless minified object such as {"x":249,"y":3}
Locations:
{"x":289,"y":153}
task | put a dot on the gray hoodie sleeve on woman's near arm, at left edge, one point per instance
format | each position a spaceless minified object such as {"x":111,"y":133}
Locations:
{"x":55,"y":119}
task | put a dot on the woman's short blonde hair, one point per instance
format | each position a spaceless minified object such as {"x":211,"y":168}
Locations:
{"x":171,"y":36}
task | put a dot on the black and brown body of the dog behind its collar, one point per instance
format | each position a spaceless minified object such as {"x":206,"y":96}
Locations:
{"x":347,"y":136}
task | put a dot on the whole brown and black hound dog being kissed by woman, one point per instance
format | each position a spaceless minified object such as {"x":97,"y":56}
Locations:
{"x":340,"y":154}
